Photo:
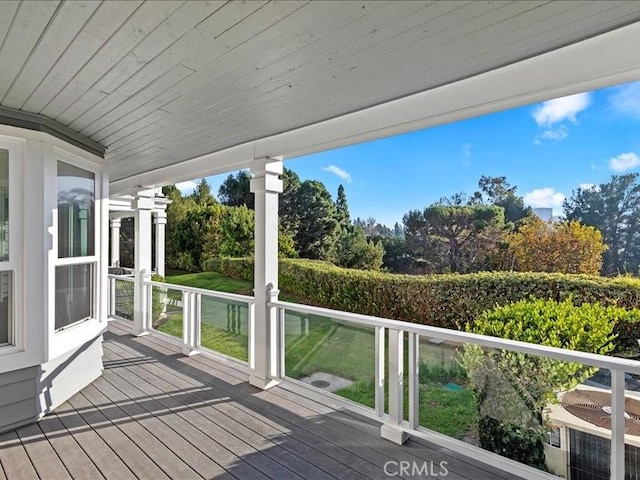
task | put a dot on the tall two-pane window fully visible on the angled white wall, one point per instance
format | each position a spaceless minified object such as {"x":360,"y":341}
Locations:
{"x":75,"y":271}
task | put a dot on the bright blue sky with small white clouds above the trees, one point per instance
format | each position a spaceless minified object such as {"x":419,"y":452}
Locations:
{"x":546,"y":150}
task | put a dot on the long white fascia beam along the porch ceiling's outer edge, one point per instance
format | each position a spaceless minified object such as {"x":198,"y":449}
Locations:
{"x":597,"y":62}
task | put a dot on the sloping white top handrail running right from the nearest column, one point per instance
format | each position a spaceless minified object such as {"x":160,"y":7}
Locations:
{"x":585,"y":358}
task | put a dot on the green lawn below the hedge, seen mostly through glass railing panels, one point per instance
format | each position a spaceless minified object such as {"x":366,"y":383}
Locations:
{"x":320,"y":344}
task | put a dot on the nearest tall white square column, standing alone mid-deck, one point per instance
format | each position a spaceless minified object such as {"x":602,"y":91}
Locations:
{"x":266,"y":185}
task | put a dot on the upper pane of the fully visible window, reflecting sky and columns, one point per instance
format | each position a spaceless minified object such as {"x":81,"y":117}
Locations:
{"x":76,"y":212}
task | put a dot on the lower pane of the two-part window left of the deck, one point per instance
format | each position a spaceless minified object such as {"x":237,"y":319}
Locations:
{"x":74,"y":294}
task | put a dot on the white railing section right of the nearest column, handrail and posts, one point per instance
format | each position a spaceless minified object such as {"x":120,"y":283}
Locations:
{"x":394,"y":331}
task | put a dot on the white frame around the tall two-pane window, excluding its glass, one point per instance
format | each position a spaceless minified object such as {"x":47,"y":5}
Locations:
{"x":94,"y":260}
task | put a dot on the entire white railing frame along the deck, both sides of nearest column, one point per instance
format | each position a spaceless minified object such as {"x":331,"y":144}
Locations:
{"x":387,"y":332}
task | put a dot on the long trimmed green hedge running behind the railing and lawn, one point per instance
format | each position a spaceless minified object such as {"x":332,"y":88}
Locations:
{"x":448,"y":301}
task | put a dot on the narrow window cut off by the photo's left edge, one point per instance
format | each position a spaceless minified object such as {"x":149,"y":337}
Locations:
{"x":6,"y":278}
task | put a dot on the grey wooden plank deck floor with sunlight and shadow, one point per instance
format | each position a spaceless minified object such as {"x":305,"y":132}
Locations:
{"x":156,"y":414}
